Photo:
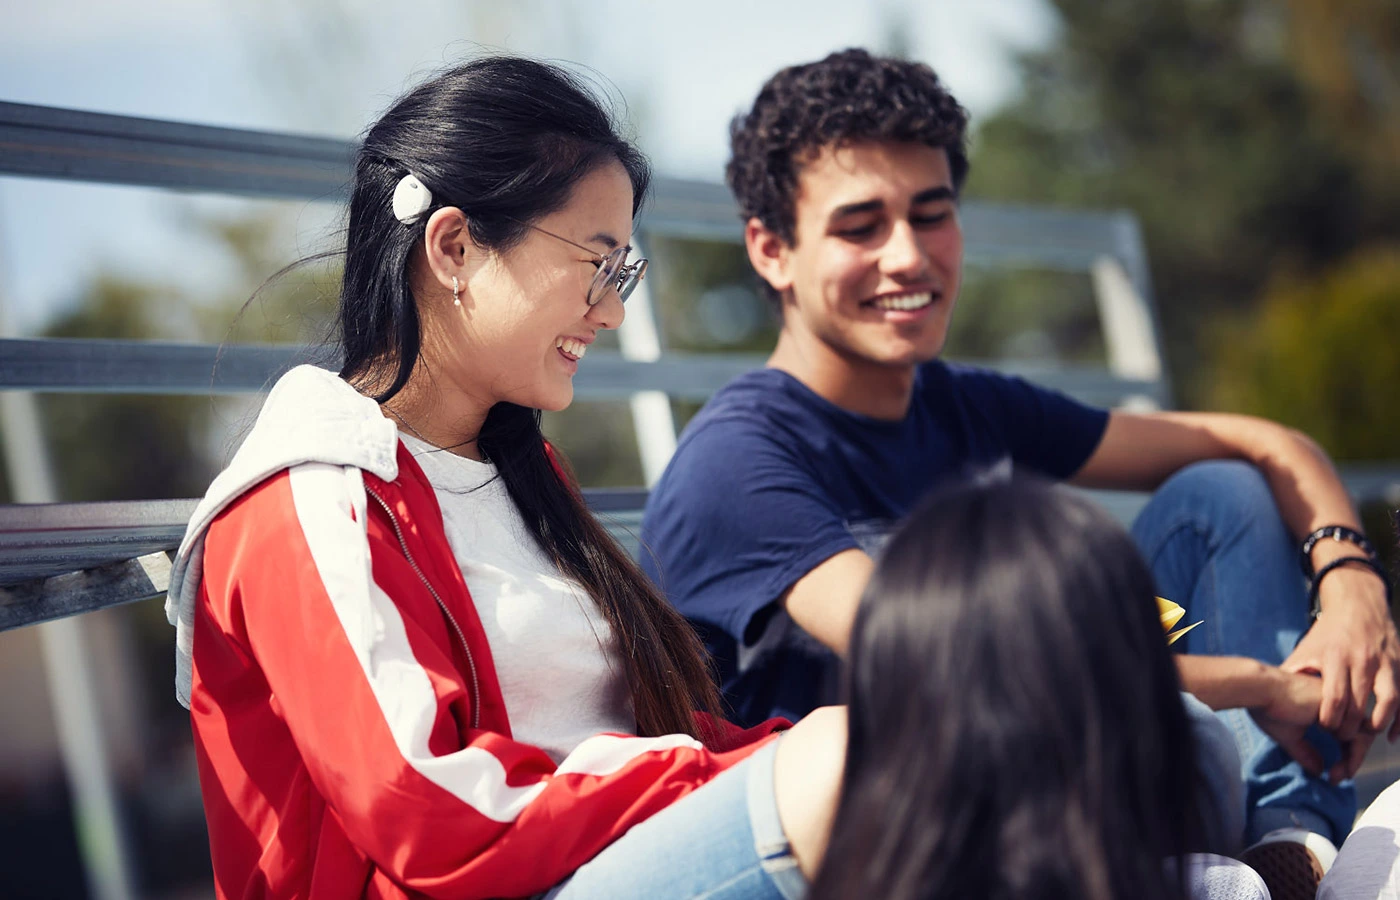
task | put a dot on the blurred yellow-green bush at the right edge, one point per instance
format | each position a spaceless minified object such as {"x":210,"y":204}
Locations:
{"x":1297,"y":360}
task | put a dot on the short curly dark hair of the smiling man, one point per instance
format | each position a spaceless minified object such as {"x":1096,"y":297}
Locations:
{"x":848,"y":97}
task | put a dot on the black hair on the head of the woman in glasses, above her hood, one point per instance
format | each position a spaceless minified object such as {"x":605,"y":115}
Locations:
{"x":502,"y":138}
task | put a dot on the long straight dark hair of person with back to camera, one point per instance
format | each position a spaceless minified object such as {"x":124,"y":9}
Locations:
{"x":1016,"y":723}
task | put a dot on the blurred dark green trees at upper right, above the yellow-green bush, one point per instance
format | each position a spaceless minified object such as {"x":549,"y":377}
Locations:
{"x":1254,"y":139}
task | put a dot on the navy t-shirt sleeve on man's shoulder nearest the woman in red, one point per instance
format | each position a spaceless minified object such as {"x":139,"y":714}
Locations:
{"x":733,"y":524}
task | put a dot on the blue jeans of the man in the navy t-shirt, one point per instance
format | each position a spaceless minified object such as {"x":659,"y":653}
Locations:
{"x":1219,"y":548}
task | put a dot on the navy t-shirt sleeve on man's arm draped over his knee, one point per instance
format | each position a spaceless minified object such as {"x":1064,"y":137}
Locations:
{"x":1044,"y":430}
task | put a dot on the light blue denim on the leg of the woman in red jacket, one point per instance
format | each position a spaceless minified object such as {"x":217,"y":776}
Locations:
{"x":722,"y":843}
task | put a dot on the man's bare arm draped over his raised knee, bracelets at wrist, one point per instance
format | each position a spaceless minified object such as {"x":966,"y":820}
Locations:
{"x":1354,"y":645}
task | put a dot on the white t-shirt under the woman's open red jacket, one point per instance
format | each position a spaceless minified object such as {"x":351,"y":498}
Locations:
{"x":554,"y":650}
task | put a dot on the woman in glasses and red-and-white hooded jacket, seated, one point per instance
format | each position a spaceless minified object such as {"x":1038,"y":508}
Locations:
{"x":415,"y":663}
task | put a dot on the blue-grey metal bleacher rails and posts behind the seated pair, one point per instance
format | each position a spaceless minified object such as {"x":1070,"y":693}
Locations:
{"x":64,"y":559}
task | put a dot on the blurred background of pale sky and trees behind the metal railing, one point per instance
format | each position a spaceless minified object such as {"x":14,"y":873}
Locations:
{"x":1258,"y":142}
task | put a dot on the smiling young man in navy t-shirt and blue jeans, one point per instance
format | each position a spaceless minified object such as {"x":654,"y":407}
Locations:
{"x":764,"y":527}
